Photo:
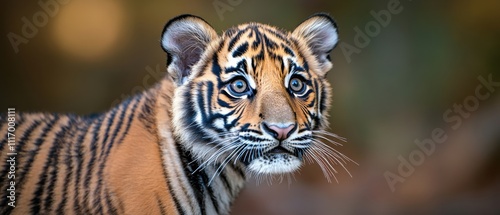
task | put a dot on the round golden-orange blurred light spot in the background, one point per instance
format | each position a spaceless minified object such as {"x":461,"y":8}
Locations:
{"x":89,"y":29}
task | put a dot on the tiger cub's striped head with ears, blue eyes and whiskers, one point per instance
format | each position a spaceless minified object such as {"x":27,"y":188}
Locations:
{"x":255,"y":96}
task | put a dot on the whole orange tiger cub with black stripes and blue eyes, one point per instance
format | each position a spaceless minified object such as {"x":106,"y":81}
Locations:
{"x":252,"y":101}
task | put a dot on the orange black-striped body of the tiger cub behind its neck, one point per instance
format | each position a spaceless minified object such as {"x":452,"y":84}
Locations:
{"x":68,"y":164}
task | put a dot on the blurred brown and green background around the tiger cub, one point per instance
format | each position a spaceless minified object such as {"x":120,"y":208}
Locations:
{"x":87,"y":55}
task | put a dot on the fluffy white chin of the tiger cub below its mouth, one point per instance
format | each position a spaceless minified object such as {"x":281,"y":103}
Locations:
{"x":275,"y":163}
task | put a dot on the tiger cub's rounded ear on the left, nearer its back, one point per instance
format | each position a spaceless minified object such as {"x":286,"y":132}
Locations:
{"x":185,"y":38}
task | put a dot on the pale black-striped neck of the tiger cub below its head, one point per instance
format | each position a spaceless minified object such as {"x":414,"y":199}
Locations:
{"x":196,"y":189}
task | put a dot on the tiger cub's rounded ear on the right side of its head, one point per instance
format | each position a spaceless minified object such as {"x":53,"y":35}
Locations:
{"x":320,"y":34}
